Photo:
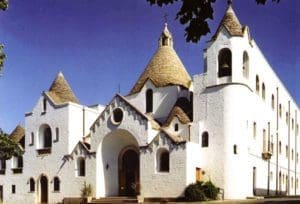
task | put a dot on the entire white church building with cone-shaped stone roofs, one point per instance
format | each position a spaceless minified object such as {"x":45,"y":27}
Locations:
{"x":235,"y":124}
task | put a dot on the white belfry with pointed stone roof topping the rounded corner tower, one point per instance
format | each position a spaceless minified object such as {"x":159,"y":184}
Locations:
{"x":224,"y":60}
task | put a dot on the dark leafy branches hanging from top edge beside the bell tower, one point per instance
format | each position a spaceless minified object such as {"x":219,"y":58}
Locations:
{"x":194,"y":14}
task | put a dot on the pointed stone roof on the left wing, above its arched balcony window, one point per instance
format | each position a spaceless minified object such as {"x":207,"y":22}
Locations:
{"x":60,"y":91}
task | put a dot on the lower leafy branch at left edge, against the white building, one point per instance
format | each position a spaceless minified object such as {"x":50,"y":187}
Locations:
{"x":8,"y":147}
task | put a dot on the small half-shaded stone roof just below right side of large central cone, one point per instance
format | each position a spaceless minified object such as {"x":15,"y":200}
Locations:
{"x":183,"y":110}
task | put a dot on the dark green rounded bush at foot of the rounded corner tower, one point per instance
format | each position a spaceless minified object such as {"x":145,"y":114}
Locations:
{"x":200,"y":191}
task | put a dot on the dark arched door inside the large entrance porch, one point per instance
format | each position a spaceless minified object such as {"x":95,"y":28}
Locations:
{"x":129,"y":173}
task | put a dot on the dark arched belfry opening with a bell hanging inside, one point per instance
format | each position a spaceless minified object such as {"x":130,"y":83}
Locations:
{"x":224,"y":62}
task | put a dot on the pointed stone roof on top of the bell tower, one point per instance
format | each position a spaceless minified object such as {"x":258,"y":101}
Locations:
{"x":231,"y":23}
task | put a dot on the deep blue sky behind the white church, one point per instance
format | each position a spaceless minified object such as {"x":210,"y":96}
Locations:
{"x":101,"y":44}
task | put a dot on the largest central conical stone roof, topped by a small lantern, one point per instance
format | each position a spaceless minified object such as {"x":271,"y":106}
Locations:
{"x":165,"y":68}
